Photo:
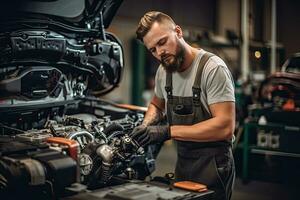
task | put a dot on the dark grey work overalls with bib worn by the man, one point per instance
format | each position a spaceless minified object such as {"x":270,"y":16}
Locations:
{"x":210,"y":163}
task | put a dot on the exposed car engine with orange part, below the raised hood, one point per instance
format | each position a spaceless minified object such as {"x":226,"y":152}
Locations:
{"x":93,"y":144}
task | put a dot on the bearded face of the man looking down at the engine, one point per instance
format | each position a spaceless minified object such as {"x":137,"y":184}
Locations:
{"x":163,"y":42}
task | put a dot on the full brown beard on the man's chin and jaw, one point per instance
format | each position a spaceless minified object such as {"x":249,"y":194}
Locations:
{"x":172,"y":63}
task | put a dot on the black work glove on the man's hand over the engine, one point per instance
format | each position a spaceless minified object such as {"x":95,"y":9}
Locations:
{"x":145,"y":135}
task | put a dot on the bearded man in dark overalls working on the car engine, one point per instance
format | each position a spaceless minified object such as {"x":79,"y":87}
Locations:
{"x":196,"y":90}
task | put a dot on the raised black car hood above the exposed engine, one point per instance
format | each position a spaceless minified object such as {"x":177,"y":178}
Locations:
{"x":58,"y":49}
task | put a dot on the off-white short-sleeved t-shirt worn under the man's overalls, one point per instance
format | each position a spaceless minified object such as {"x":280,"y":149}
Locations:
{"x":217,"y":84}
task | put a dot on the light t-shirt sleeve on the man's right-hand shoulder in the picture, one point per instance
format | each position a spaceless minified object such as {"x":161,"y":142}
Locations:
{"x":219,"y":85}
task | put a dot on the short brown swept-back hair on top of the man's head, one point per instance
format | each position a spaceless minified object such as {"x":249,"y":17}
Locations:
{"x":147,"y":21}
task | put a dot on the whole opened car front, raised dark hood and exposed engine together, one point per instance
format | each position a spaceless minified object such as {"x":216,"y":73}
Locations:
{"x":55,"y":131}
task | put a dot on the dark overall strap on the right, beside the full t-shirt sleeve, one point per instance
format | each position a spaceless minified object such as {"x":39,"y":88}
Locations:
{"x":197,"y":83}
